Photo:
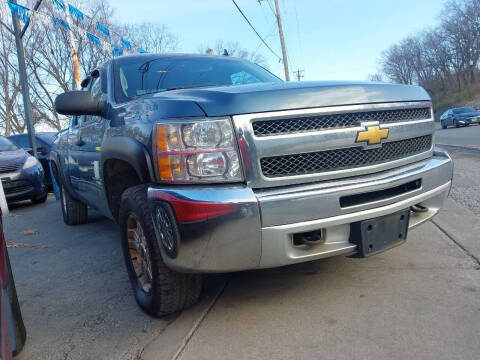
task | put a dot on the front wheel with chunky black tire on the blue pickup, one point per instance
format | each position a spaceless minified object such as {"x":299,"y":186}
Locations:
{"x":158,"y":290}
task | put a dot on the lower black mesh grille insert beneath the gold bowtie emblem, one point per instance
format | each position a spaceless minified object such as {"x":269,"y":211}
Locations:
{"x":332,"y":160}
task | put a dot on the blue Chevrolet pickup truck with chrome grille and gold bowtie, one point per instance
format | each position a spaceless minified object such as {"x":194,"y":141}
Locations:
{"x":213,"y":164}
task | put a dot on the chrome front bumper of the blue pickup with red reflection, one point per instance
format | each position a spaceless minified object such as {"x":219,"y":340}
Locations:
{"x":230,"y":228}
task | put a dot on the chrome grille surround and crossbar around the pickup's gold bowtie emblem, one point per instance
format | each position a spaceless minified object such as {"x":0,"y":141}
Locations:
{"x":256,"y":148}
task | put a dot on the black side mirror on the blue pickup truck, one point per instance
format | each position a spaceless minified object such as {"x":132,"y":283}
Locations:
{"x":78,"y":103}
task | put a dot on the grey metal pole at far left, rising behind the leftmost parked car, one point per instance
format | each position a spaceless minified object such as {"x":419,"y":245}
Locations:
{"x":22,"y":72}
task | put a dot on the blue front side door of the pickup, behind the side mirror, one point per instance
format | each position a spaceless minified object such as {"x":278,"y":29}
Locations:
{"x":90,"y":137}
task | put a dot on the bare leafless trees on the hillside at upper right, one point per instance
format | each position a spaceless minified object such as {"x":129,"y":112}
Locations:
{"x":442,"y":58}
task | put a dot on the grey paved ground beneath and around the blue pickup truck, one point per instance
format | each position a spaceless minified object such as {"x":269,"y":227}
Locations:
{"x":420,"y":300}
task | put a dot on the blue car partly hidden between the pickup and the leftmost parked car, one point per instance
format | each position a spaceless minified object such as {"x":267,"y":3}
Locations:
{"x":44,"y":142}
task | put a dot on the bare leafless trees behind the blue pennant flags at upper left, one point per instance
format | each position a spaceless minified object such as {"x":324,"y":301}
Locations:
{"x":49,"y":56}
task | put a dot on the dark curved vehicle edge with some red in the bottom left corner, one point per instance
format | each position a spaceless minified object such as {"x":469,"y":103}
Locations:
{"x":12,"y":329}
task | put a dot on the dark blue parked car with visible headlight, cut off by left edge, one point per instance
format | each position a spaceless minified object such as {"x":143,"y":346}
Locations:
{"x":22,"y":174}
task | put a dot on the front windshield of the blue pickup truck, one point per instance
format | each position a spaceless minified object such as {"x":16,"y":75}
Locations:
{"x":136,"y":77}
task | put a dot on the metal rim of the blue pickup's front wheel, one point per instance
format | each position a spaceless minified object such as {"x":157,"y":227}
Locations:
{"x":139,"y":255}
